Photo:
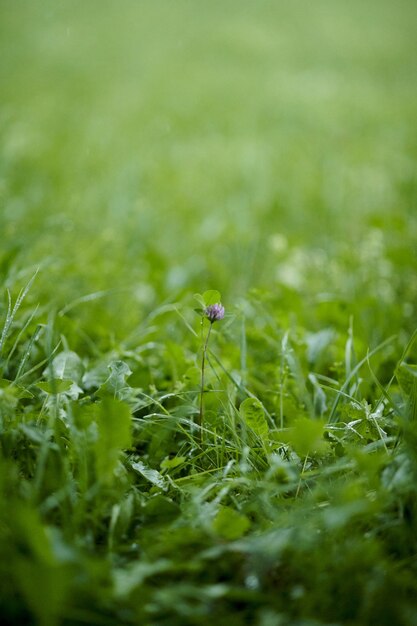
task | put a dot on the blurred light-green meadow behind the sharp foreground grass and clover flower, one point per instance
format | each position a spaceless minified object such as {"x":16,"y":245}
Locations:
{"x":159,"y":148}
